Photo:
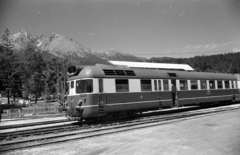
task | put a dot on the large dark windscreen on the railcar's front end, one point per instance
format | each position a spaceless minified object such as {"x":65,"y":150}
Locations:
{"x":84,"y":86}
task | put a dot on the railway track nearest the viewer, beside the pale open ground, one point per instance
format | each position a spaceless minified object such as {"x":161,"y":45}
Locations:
{"x":109,"y":128}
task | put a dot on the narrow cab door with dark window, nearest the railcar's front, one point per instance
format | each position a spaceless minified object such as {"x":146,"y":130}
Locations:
{"x":102,"y":98}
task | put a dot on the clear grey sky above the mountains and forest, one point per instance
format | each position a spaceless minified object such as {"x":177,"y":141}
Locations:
{"x":144,"y":28}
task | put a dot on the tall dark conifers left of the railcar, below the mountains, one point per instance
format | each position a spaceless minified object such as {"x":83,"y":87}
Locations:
{"x":29,"y":73}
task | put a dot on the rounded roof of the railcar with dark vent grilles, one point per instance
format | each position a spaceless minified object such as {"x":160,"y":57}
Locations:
{"x":114,"y":72}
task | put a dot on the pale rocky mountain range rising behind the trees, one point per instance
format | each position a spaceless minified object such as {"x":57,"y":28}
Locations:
{"x":57,"y":45}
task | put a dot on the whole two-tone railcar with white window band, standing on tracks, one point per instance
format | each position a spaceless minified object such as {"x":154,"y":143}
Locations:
{"x":105,"y":92}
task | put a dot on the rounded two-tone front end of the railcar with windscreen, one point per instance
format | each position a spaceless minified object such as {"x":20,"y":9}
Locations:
{"x":82,"y":100}
